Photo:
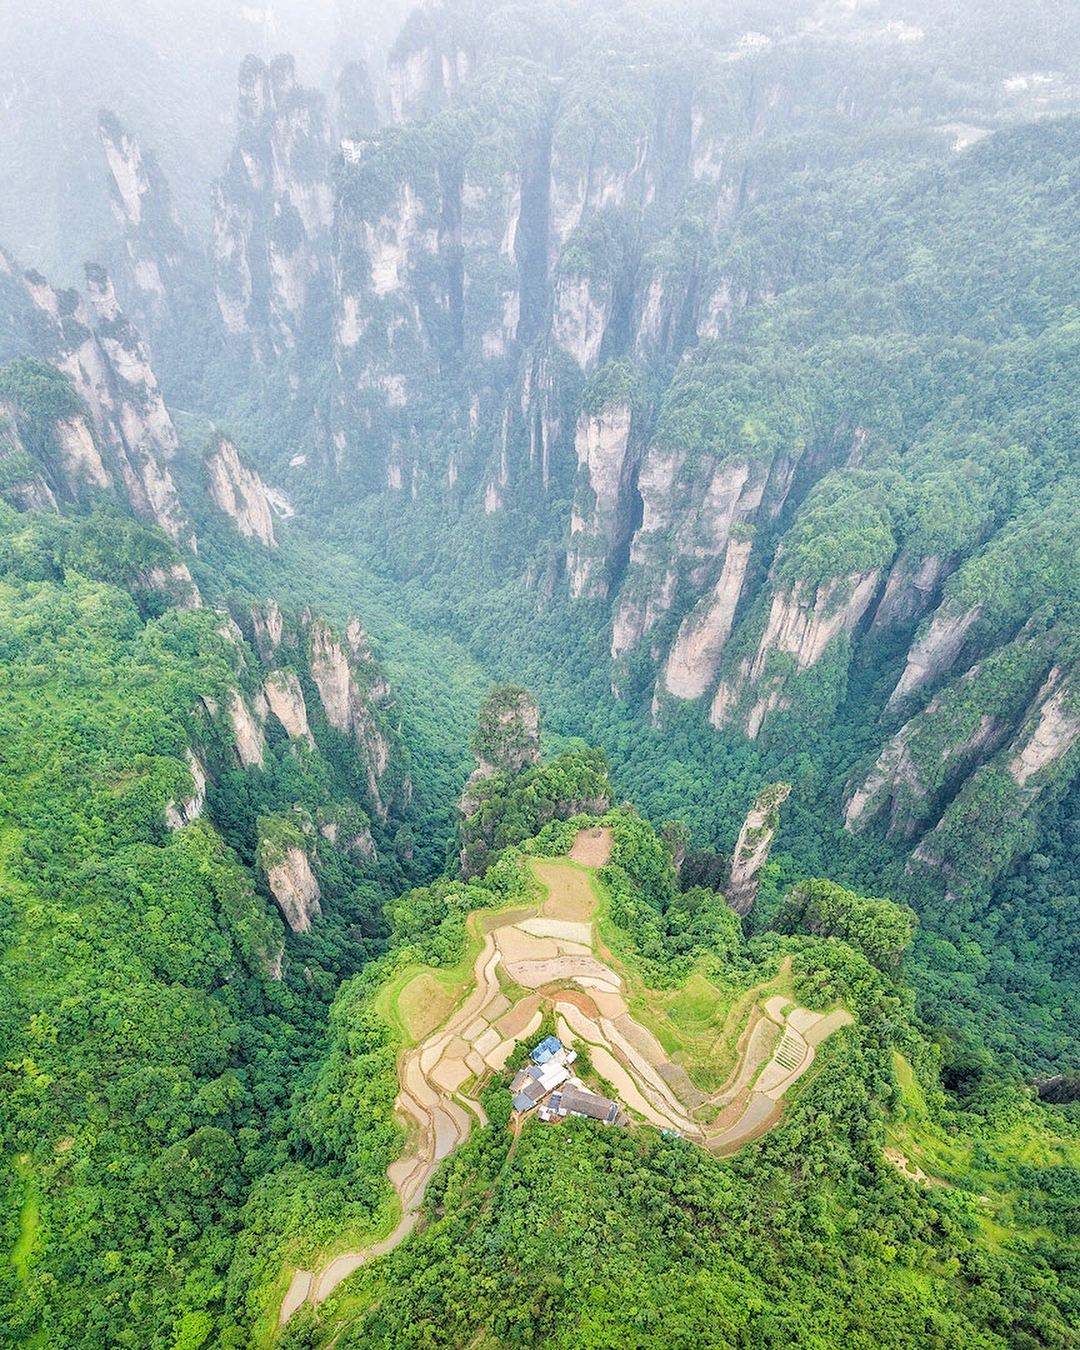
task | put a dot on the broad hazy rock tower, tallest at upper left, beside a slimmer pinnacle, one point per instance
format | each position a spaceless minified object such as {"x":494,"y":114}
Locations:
{"x":273,"y":210}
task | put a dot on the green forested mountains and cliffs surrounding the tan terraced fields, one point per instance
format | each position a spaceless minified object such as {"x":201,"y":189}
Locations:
{"x":695,"y":384}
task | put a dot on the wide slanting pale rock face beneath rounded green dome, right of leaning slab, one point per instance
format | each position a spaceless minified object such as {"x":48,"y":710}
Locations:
{"x":803,"y":627}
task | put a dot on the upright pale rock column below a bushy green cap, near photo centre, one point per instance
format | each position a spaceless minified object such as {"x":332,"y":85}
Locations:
{"x":600,"y":523}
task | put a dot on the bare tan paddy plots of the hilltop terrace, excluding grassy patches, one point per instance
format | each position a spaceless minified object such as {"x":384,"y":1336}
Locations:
{"x":554,"y":954}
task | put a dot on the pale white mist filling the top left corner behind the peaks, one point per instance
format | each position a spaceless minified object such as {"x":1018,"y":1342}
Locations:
{"x":168,"y":71}
